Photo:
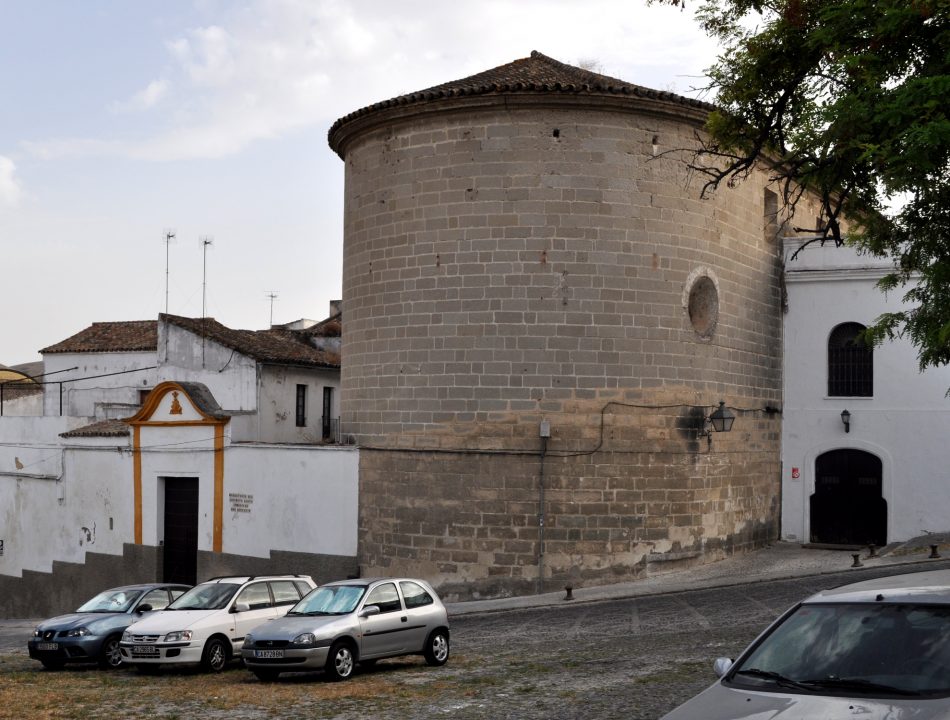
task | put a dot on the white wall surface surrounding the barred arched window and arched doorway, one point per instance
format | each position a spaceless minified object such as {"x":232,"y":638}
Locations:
{"x":905,"y":422}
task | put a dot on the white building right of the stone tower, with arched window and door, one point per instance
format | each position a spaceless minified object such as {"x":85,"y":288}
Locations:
{"x":863,"y":431}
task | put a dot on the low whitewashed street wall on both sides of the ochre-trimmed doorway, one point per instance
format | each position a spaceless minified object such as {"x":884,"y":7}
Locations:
{"x":293,"y":498}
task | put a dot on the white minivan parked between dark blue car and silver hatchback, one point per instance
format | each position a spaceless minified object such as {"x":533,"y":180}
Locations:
{"x":206,"y":625}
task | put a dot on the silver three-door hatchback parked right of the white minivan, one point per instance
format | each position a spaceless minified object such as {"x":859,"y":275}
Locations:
{"x":344,"y":623}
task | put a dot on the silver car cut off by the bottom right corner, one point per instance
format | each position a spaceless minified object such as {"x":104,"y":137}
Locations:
{"x":879,"y":649}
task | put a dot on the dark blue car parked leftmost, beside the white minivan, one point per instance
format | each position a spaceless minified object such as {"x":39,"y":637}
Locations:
{"x":92,"y":633}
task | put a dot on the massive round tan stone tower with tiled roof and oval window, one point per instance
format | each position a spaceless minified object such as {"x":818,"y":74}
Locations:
{"x":539,"y":315}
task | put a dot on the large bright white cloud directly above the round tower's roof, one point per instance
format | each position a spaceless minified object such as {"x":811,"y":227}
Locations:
{"x":270,"y":67}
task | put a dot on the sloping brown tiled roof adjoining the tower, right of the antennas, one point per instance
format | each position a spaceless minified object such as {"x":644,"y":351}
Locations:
{"x":284,"y":347}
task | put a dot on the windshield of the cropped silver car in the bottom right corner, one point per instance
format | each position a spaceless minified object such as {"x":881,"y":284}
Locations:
{"x":873,"y":650}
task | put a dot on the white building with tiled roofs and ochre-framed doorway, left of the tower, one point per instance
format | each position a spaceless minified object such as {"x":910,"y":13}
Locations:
{"x":176,"y":449}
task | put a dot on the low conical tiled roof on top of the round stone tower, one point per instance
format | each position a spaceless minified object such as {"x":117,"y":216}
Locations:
{"x":535,"y":74}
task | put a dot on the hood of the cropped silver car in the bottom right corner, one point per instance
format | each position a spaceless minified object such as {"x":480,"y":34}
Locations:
{"x":721,"y":703}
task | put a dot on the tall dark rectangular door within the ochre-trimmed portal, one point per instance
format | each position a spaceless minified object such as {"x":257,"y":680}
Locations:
{"x":181,"y":531}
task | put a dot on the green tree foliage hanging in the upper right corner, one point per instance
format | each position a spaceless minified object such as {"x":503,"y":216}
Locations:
{"x":850,"y":99}
